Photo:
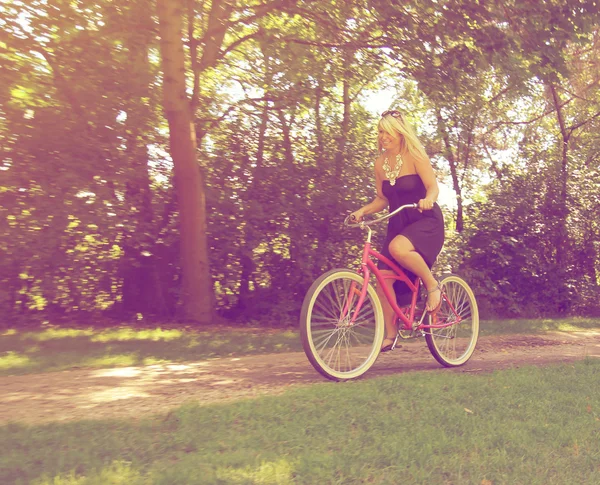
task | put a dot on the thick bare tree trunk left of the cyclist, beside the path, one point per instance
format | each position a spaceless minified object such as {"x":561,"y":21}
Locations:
{"x":197,"y":291}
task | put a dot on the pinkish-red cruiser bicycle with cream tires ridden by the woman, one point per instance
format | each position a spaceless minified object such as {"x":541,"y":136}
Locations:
{"x":341,"y":321}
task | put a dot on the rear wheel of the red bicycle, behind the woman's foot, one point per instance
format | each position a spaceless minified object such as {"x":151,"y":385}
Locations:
{"x":453,"y":345}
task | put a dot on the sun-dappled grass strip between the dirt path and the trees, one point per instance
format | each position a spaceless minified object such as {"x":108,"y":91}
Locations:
{"x":51,"y":348}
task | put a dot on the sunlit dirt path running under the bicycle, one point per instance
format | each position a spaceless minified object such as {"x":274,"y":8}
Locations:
{"x":140,"y":391}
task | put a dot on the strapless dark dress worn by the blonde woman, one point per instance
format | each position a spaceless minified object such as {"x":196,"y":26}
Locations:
{"x":425,"y":230}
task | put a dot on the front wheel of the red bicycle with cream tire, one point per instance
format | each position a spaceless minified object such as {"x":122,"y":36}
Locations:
{"x":340,"y":342}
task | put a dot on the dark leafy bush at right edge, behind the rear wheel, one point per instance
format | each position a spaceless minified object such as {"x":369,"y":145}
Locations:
{"x":510,"y":254}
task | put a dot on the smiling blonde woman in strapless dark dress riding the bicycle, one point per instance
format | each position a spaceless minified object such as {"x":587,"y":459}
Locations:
{"x":404,"y":175}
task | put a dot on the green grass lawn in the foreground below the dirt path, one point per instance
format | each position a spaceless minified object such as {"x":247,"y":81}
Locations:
{"x":520,"y":426}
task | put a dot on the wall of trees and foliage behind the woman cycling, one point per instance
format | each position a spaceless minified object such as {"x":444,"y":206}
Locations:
{"x":89,"y":219}
